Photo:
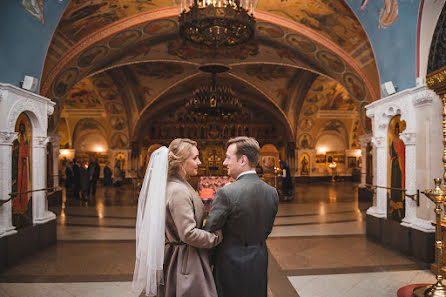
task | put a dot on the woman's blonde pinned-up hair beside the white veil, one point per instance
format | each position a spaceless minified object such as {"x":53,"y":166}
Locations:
{"x":179,"y":151}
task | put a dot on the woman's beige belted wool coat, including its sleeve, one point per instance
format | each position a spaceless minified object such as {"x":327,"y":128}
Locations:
{"x":187,"y":272}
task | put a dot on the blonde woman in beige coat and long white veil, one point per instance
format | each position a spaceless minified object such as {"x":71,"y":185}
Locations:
{"x":171,"y":247}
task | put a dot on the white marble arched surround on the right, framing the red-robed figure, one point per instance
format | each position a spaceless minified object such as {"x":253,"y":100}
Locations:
{"x":421,"y":108}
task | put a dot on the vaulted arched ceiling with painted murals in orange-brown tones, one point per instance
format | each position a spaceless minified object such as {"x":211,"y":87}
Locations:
{"x":125,"y":58}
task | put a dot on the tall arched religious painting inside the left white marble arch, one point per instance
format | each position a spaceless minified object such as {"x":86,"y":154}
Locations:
{"x":21,"y":173}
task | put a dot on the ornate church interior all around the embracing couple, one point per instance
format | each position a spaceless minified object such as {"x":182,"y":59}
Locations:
{"x":346,"y":98}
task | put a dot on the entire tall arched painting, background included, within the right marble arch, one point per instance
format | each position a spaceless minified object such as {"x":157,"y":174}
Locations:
{"x":396,"y":169}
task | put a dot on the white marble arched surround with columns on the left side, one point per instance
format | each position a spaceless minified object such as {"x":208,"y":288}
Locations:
{"x":14,"y":101}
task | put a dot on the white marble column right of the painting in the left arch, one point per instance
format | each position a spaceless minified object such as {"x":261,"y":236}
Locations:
{"x":40,"y":203}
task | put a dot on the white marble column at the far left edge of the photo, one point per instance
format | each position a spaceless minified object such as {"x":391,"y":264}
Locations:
{"x":6,"y":139}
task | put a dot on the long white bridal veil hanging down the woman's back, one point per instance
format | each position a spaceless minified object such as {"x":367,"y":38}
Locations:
{"x":150,"y":224}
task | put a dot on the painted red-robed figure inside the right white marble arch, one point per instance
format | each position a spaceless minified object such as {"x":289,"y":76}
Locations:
{"x":397,"y":152}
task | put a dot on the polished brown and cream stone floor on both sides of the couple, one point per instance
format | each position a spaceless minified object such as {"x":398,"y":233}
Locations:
{"x":317,"y":248}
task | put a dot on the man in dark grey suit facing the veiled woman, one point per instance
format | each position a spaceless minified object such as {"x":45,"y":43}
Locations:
{"x":245,"y":211}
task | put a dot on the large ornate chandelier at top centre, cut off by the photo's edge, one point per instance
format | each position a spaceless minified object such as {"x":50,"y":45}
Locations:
{"x":217,"y":22}
